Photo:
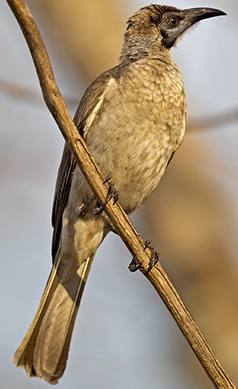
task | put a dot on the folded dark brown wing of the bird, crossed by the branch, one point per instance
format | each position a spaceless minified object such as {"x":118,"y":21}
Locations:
{"x":84,"y":116}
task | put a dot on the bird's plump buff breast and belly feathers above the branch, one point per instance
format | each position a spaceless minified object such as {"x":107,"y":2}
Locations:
{"x":137,"y":129}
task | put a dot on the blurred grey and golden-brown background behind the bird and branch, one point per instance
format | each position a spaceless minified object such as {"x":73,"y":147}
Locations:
{"x":124,"y":337}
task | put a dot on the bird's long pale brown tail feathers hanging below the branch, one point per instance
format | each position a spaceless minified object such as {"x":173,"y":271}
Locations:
{"x":44,"y":349}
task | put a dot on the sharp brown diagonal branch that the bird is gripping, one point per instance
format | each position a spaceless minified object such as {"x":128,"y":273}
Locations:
{"x":120,"y":220}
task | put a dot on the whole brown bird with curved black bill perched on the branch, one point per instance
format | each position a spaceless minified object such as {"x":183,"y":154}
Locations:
{"x":133,"y":119}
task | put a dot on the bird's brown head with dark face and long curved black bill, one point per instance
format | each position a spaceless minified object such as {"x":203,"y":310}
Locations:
{"x":157,"y":27}
